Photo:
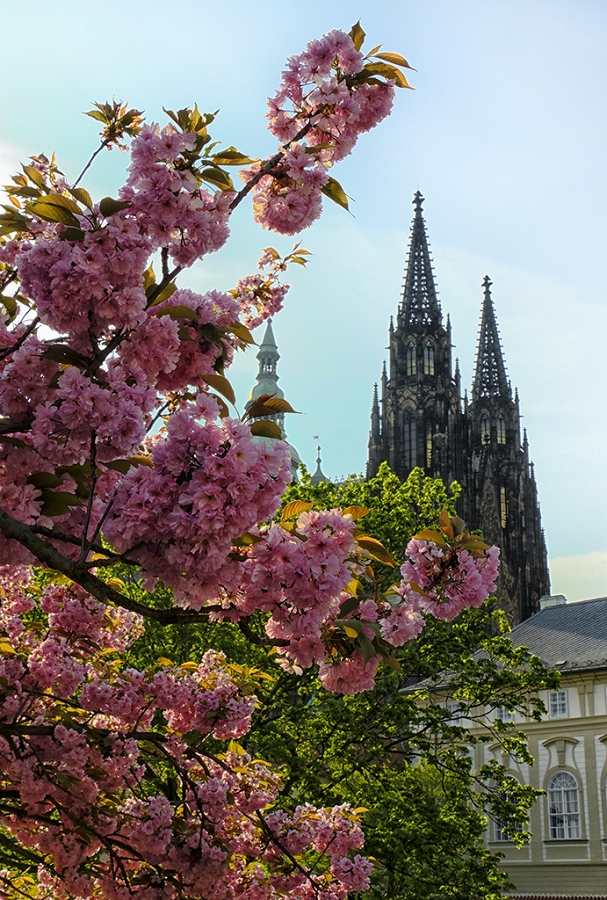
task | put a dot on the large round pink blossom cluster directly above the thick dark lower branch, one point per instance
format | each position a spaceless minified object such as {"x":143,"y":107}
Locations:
{"x":208,"y":484}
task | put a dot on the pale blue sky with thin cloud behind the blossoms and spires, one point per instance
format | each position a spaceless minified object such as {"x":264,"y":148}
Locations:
{"x":506,"y":137}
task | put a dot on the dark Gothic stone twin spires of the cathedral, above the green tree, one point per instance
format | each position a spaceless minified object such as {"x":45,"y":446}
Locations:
{"x":419,"y":418}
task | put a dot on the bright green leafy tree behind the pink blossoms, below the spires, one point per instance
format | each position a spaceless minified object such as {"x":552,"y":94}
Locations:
{"x":395,"y":753}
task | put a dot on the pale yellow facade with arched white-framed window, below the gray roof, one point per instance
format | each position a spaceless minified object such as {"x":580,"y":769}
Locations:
{"x":568,"y":851}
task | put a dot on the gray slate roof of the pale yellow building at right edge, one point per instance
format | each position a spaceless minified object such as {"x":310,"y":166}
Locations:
{"x":568,"y":637}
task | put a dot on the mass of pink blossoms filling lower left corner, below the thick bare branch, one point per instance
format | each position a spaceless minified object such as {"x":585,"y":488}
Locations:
{"x":81,"y":738}
